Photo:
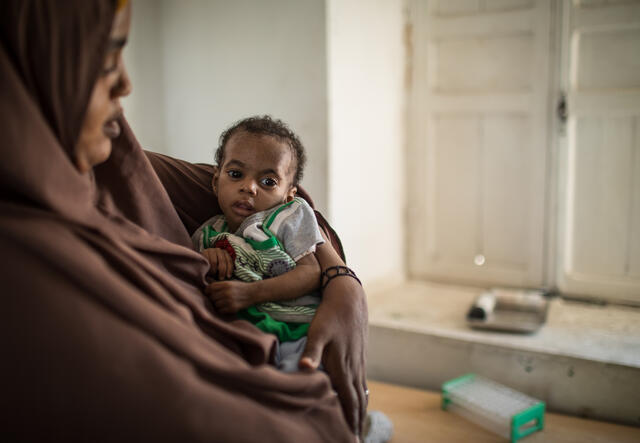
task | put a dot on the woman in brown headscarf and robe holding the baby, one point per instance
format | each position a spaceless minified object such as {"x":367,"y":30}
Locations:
{"x":106,"y":332}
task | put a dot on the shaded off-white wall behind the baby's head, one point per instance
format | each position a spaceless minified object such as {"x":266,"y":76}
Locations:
{"x":197,"y":66}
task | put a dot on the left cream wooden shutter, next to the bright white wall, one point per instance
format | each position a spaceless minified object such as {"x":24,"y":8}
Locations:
{"x":478,"y":140}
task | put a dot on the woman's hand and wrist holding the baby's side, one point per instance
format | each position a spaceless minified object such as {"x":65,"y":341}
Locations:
{"x":337,"y":337}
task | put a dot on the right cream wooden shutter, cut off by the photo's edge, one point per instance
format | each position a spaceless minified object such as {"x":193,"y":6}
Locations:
{"x":600,"y":198}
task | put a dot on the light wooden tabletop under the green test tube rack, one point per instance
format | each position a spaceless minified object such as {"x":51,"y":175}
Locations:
{"x":418,"y":417}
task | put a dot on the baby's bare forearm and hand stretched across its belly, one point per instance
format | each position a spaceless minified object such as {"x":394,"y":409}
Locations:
{"x":230,"y":296}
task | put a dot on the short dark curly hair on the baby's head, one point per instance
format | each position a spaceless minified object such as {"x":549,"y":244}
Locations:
{"x":265,"y":125}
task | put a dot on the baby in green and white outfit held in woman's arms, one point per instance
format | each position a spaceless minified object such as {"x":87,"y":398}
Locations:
{"x":265,"y":237}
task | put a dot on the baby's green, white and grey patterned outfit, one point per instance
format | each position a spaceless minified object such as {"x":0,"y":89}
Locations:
{"x":268,"y":244}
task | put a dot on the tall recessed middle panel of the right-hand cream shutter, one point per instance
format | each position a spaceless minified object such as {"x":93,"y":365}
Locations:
{"x":602,"y":195}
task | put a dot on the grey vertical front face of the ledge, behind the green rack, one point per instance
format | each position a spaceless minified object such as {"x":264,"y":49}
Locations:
{"x":567,"y":384}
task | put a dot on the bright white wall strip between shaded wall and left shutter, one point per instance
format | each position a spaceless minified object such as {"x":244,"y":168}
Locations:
{"x":366,"y":134}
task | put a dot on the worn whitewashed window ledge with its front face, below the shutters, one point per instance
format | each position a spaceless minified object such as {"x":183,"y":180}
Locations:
{"x":585,"y":360}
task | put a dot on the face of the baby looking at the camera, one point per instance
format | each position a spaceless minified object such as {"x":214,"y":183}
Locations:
{"x":256,"y":174}
